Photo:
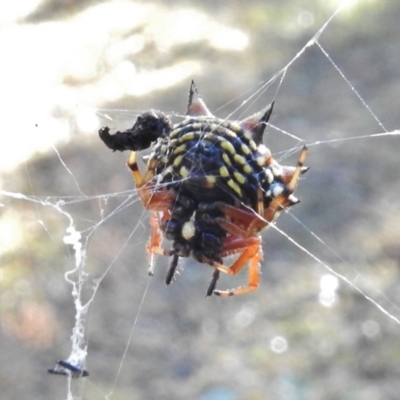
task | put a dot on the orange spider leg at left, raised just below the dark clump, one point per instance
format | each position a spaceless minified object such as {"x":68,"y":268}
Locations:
{"x":153,"y":198}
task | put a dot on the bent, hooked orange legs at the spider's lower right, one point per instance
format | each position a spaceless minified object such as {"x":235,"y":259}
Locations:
{"x":252,"y":254}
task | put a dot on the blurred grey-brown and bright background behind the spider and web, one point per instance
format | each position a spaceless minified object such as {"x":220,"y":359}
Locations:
{"x":69,"y":67}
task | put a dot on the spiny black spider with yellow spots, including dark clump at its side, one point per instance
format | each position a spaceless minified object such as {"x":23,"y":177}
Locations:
{"x":211,"y":186}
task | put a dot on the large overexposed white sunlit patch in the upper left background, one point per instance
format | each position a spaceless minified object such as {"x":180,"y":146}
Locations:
{"x":105,"y":61}
